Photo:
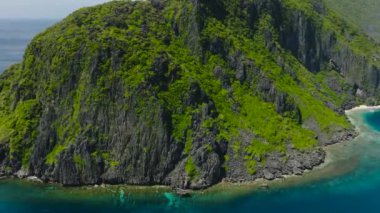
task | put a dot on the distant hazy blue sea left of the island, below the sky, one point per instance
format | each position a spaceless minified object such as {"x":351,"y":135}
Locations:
{"x":14,"y":37}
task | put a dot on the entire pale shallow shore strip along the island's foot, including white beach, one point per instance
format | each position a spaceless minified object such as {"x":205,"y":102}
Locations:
{"x":332,"y":166}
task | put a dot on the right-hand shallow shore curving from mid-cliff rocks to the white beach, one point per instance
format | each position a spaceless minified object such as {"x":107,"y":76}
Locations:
{"x":335,"y":164}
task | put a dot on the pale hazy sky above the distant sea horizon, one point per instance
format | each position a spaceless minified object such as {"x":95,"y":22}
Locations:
{"x":42,"y":9}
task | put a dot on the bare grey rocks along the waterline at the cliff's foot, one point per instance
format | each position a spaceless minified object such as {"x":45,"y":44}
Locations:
{"x":296,"y":164}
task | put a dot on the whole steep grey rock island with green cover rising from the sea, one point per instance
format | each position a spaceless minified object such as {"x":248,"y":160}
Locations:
{"x":184,"y":93}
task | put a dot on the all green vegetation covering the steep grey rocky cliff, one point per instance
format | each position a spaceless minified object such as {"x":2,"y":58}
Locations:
{"x":126,"y":58}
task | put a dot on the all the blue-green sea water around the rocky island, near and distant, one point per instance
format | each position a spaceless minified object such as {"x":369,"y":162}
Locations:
{"x":349,"y":182}
